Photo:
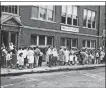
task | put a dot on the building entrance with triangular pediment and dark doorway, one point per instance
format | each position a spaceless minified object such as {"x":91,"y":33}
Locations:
{"x":10,"y":29}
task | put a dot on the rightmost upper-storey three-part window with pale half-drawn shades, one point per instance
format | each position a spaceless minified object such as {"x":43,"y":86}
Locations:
{"x":89,"y":18}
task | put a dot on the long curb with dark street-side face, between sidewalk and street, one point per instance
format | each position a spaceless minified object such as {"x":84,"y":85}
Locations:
{"x":54,"y":70}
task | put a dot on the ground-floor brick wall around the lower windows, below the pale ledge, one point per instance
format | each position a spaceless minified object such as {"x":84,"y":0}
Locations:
{"x":25,"y":37}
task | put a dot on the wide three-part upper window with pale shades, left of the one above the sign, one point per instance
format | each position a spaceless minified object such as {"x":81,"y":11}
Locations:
{"x":43,"y":12}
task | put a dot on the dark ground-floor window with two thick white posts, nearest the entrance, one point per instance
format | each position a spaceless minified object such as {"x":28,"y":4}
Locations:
{"x":41,"y":40}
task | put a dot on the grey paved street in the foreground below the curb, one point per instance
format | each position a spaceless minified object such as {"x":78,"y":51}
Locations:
{"x":94,"y":78}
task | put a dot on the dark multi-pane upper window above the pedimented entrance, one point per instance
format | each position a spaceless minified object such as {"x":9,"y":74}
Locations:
{"x":10,"y":9}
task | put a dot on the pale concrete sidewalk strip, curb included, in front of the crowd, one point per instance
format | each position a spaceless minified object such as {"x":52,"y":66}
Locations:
{"x":43,"y":69}
